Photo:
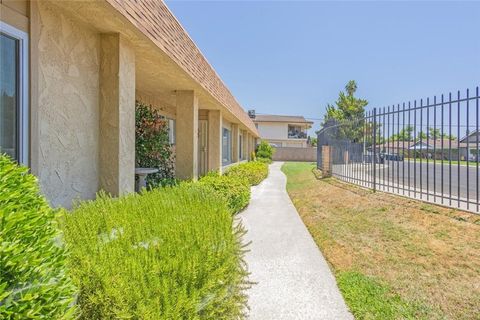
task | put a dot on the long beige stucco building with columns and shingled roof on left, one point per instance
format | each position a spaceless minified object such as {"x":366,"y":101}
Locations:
{"x":70,"y":74}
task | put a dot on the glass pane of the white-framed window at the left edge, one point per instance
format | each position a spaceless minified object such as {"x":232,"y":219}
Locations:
{"x":9,"y":99}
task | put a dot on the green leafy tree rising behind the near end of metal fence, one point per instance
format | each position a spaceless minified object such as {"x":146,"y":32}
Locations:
{"x":348,"y":111}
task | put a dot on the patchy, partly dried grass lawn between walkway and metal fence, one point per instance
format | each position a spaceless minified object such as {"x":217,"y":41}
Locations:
{"x":394,"y":258}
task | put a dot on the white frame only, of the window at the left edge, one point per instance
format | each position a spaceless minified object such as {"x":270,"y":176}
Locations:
{"x":22,"y":37}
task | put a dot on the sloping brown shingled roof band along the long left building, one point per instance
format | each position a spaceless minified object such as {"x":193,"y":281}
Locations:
{"x":158,"y":23}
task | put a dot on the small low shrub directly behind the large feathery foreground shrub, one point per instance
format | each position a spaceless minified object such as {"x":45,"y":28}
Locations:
{"x":234,"y":190}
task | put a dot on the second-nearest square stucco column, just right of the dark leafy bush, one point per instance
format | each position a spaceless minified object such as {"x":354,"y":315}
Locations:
{"x":186,"y":150}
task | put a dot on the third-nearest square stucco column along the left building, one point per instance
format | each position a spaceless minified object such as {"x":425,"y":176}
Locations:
{"x":215,"y":140}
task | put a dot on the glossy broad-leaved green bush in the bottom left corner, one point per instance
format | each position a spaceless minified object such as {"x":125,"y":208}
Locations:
{"x":33,"y":279}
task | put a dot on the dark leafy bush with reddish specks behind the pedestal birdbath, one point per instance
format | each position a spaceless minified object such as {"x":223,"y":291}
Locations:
{"x":152,"y":146}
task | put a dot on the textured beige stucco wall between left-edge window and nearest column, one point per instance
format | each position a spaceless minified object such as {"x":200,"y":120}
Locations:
{"x":67,"y":106}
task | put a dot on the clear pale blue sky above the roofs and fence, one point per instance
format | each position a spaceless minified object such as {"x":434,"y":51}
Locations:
{"x":294,"y":57}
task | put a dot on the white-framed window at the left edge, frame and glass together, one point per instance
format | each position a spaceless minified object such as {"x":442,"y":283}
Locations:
{"x":13,"y":93}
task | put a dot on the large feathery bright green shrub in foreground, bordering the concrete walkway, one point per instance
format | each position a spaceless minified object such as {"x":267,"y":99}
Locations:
{"x":169,"y":253}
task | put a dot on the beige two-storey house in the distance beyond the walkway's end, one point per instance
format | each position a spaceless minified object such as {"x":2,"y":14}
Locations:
{"x":283,"y":131}
